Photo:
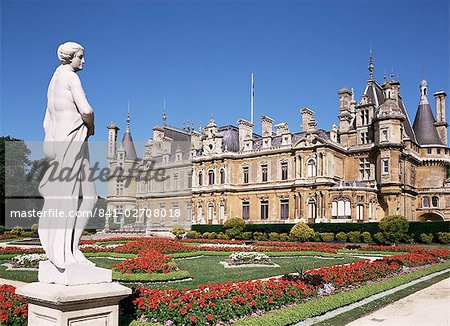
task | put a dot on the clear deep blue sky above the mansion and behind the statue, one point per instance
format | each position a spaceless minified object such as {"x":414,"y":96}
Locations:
{"x":199,"y":55}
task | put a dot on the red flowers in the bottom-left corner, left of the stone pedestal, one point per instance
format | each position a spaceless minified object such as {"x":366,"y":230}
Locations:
{"x":13,"y":307}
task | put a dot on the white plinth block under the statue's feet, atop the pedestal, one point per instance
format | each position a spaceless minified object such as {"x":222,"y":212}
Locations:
{"x":73,"y":274}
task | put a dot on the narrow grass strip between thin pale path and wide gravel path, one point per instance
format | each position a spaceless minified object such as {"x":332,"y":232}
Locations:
{"x":347,"y":317}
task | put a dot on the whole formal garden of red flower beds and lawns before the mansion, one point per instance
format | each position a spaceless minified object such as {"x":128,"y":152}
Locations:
{"x":222,"y":281}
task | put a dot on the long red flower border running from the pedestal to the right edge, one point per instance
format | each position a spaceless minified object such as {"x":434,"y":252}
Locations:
{"x":212,"y":304}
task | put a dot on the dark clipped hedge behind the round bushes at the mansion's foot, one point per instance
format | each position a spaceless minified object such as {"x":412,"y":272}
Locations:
{"x":416,"y":228}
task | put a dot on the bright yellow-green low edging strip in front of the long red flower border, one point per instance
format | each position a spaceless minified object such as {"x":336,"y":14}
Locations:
{"x":316,"y":307}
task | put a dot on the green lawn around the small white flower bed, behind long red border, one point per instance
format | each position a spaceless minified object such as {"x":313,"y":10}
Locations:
{"x":208,"y":270}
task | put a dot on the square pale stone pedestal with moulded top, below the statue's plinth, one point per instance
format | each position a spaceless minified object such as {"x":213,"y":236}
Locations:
{"x":76,"y":305}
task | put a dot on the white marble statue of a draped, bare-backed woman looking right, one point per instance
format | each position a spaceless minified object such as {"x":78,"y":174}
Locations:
{"x":69,"y":196}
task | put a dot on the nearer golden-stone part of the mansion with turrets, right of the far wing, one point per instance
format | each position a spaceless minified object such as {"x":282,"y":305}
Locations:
{"x":373,"y":164}
